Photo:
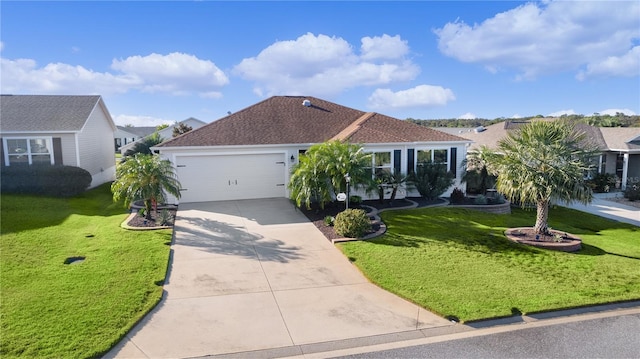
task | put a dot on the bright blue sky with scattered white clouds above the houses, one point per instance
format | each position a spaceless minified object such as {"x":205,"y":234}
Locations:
{"x":161,"y":62}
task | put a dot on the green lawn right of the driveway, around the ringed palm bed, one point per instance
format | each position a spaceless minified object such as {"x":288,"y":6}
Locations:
{"x":458,"y":263}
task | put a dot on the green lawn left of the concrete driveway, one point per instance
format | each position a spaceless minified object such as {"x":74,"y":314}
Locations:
{"x":53,"y":310}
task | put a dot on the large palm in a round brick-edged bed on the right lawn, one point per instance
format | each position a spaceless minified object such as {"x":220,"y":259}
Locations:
{"x":542,"y":162}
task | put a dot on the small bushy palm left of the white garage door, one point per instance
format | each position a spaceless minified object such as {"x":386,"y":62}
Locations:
{"x":145,"y":177}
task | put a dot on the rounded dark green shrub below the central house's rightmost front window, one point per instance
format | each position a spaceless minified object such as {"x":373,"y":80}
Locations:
{"x":432,"y":179}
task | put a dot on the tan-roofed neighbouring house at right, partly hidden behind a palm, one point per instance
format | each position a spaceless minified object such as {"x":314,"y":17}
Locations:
{"x":620,"y":146}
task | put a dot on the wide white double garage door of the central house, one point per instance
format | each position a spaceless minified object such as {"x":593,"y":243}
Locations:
{"x":231,"y":177}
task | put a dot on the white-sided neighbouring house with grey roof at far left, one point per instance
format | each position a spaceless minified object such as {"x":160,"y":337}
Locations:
{"x":58,"y":130}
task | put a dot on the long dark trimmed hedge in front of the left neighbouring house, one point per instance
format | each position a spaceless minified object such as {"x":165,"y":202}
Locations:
{"x":54,"y":181}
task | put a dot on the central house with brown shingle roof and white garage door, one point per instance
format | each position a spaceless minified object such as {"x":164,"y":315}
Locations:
{"x":250,"y":153}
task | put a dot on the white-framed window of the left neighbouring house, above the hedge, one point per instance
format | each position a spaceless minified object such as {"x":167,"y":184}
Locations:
{"x":28,"y":151}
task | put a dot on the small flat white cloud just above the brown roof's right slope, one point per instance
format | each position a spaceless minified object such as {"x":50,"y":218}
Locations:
{"x":419,"y":96}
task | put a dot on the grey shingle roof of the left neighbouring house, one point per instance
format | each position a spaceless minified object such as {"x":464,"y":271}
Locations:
{"x":45,"y":113}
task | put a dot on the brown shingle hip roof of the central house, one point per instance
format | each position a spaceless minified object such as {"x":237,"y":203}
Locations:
{"x":285,"y":120}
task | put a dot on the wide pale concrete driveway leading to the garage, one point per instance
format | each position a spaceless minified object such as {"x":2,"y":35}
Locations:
{"x":256,"y":275}
